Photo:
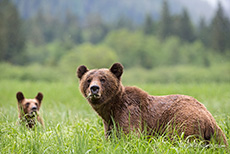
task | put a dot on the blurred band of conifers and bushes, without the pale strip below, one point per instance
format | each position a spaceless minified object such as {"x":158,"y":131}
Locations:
{"x":68,"y":42}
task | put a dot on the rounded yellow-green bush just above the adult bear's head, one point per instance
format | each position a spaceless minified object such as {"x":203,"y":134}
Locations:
{"x":93,"y":56}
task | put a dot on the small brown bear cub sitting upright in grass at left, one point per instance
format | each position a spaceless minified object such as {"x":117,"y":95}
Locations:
{"x":28,"y":110}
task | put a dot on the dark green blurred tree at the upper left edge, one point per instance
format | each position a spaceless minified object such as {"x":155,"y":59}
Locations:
{"x":12,"y":38}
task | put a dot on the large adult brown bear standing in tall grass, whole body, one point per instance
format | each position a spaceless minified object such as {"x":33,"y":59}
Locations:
{"x":131,"y":108}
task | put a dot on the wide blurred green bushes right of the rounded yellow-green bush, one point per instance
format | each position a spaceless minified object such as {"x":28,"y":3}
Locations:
{"x":136,"y":49}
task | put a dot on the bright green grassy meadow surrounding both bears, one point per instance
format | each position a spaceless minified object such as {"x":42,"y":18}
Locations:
{"x":71,"y":125}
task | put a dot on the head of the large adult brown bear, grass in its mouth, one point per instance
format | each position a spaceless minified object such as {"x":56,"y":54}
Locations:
{"x":100,"y":85}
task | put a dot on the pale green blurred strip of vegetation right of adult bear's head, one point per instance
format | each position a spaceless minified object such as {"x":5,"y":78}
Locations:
{"x":179,"y":74}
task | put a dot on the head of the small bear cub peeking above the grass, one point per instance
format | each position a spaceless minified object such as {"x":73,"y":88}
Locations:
{"x":29,"y":107}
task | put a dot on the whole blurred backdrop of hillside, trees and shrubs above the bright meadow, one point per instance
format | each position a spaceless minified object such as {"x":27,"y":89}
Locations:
{"x":160,"y":41}
